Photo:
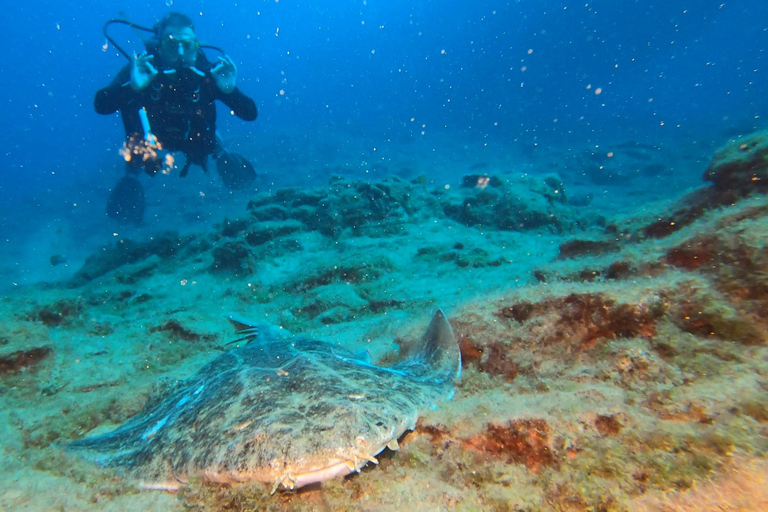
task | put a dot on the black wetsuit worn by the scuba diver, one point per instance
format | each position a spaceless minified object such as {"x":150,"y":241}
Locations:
{"x":180,"y":108}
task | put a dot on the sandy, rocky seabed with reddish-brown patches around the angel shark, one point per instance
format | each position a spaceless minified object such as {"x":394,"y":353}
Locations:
{"x":613,"y":359}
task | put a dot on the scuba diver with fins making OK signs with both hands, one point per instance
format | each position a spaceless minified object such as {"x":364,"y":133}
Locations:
{"x":166,"y":100}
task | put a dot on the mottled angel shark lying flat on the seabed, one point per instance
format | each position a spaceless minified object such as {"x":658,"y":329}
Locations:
{"x":284,"y":411}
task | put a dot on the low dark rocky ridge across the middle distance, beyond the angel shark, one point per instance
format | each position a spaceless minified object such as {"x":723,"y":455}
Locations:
{"x":380,"y":208}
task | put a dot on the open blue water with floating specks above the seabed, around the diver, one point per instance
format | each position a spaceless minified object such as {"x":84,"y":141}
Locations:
{"x":458,"y":79}
